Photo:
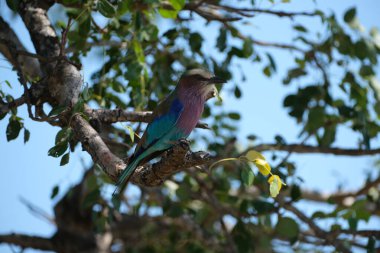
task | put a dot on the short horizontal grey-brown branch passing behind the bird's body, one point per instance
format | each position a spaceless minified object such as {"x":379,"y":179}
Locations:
{"x":119,"y":115}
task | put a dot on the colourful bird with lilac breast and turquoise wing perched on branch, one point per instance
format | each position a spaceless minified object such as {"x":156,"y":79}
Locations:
{"x":173,"y":119}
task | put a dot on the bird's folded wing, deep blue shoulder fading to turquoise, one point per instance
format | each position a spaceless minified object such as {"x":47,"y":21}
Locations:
{"x":165,"y":118}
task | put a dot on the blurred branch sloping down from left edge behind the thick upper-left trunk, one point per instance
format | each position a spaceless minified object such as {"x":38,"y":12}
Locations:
{"x":10,"y":43}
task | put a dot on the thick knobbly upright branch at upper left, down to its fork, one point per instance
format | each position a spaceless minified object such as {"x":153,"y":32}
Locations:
{"x":64,"y":78}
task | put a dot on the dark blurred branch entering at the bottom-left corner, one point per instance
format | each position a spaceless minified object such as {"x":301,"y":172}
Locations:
{"x":27,"y":241}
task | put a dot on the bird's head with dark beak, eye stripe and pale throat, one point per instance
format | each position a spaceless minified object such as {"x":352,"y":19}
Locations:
{"x":201,"y":82}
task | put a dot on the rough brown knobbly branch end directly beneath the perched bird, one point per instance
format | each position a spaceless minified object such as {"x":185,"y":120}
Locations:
{"x":178,"y":158}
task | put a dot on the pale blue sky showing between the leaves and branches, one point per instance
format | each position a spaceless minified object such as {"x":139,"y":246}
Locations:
{"x":28,"y":173}
